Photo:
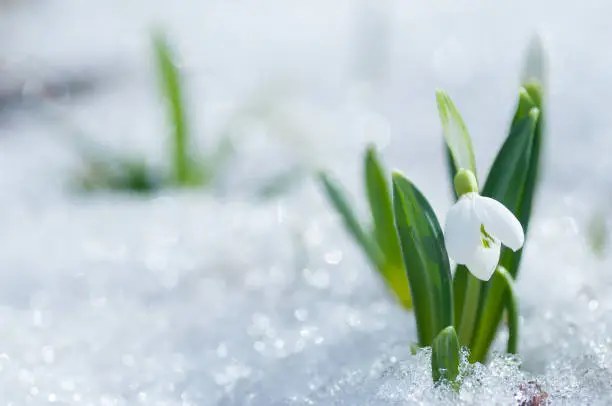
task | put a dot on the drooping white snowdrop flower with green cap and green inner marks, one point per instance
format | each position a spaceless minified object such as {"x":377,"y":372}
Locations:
{"x":476,"y":226}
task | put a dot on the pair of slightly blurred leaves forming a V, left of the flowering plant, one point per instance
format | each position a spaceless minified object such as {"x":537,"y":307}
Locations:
{"x":379,"y":242}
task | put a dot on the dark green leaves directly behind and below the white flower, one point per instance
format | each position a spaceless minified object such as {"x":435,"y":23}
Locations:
{"x":512,"y":180}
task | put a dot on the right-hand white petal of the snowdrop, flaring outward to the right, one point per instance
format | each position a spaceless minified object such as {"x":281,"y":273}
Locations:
{"x":499,"y":222}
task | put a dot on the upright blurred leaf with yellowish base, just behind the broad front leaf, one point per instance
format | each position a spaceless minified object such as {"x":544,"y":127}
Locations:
{"x":384,"y":234}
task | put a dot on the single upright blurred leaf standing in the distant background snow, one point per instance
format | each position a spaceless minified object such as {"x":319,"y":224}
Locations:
{"x":170,"y":85}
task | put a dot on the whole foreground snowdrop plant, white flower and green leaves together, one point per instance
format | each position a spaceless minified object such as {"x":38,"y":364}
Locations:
{"x":483,"y":234}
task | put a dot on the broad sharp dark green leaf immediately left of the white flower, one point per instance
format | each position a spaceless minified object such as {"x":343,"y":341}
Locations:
{"x":425,"y":259}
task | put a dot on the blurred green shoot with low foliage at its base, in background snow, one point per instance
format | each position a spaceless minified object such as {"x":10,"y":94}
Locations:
{"x":117,"y":172}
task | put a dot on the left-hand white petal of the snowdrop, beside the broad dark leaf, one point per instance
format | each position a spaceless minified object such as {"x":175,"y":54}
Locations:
{"x":462,"y":230}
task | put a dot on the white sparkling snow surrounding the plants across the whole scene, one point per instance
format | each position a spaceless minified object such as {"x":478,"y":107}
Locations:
{"x":197,"y":298}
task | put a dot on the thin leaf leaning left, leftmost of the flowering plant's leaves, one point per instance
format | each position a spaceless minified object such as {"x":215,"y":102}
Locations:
{"x":338,"y":199}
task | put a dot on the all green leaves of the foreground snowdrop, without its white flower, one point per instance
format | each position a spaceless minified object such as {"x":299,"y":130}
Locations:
{"x":454,"y":310}
